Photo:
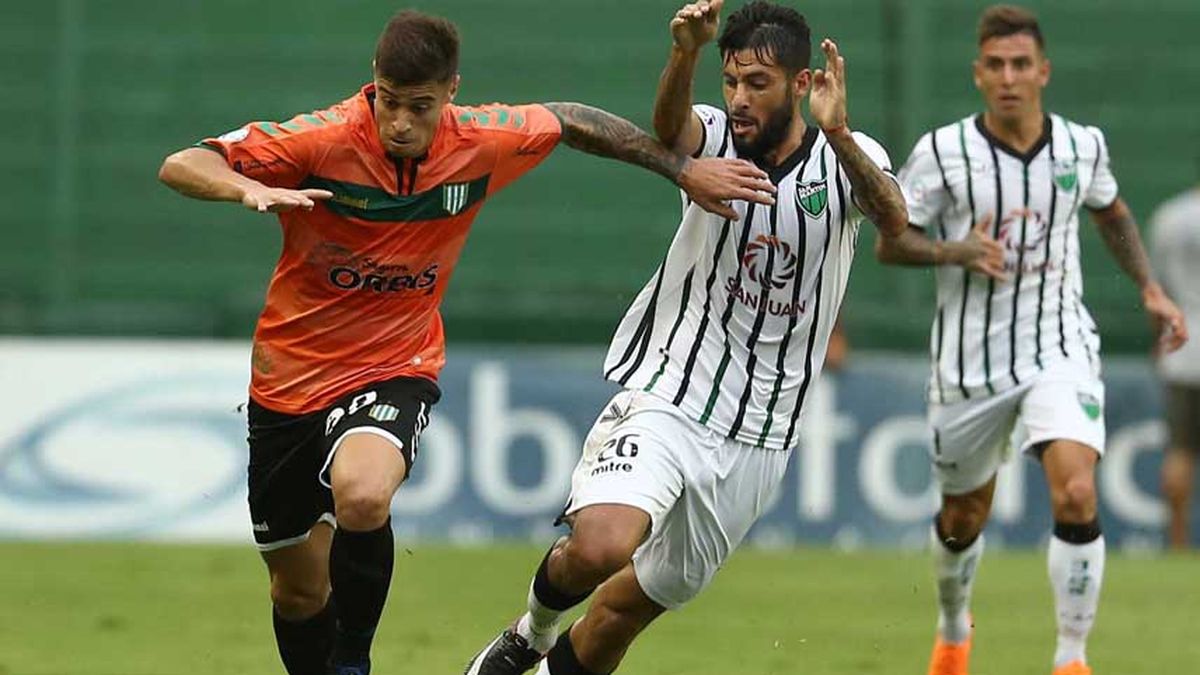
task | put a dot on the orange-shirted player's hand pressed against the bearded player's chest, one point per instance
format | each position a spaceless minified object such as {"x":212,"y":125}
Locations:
{"x":715,"y":182}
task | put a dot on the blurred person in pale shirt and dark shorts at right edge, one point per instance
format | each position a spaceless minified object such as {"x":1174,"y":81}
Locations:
{"x":1175,"y":243}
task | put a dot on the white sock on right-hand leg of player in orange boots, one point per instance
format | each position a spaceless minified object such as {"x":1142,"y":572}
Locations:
{"x":1076,"y":575}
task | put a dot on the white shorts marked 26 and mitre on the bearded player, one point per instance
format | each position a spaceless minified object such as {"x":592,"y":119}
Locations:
{"x":701,"y":491}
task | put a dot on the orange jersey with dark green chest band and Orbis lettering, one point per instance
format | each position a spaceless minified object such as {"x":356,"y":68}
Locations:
{"x":356,"y":294}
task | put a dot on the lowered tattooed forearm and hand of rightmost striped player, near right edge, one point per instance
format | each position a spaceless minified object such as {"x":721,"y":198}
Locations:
{"x":1120,"y":234}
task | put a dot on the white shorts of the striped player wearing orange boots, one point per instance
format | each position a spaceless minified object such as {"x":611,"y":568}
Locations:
{"x":974,"y":438}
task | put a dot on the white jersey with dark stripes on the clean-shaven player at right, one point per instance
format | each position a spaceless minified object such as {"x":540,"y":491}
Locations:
{"x":989,"y":336}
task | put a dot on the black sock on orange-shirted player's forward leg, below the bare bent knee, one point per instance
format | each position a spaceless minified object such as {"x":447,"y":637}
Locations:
{"x":361,"y":572}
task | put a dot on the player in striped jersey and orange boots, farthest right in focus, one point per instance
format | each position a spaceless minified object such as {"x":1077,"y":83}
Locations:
{"x":993,"y":205}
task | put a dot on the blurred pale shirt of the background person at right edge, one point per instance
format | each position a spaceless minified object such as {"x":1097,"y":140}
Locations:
{"x":1175,"y":244}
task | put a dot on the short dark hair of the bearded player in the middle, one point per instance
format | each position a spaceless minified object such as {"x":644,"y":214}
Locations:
{"x":776,"y":34}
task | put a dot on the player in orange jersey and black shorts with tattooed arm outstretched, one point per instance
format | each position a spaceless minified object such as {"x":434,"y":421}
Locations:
{"x":376,"y":196}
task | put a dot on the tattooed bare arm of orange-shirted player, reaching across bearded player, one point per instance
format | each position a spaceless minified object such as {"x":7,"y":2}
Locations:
{"x":710,"y":182}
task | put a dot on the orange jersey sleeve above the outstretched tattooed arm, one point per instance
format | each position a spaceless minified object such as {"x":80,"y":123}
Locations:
{"x":524,"y":136}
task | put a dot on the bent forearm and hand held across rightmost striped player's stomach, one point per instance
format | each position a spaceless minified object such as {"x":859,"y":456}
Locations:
{"x":977,"y":253}
